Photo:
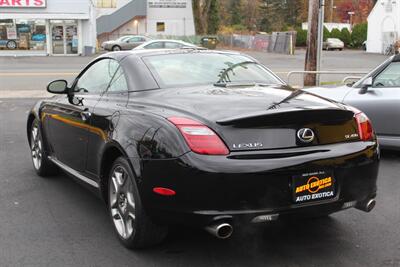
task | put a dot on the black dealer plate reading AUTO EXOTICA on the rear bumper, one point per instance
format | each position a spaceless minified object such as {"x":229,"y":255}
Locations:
{"x":313,"y":186}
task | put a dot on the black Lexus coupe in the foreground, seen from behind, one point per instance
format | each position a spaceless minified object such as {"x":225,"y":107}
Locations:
{"x":202,"y":138}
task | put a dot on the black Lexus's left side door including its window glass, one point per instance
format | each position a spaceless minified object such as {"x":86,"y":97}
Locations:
{"x":69,"y":120}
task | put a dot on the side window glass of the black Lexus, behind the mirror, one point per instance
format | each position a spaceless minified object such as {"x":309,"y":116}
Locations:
{"x":97,"y":78}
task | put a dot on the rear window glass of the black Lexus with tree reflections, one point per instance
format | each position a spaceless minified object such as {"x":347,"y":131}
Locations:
{"x":179,"y":70}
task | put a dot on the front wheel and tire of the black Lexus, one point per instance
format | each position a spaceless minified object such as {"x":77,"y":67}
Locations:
{"x":42,"y":165}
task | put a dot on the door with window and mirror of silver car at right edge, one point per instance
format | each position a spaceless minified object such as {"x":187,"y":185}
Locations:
{"x":381,"y":102}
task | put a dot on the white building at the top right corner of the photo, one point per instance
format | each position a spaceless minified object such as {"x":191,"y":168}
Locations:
{"x":383,"y":25}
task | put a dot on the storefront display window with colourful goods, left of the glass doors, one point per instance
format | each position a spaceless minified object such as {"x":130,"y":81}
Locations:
{"x":22,"y":34}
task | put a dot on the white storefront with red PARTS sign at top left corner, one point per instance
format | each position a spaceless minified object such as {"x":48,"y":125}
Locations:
{"x":47,"y":27}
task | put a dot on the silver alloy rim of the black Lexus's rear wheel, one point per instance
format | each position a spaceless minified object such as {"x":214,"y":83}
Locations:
{"x":122,"y":202}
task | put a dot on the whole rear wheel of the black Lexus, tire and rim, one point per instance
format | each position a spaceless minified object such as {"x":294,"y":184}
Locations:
{"x":133,"y":227}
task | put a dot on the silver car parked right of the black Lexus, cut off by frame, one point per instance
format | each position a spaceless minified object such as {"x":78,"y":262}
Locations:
{"x":378,"y":96}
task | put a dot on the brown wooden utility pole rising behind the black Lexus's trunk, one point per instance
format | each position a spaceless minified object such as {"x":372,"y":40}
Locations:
{"x":312,"y":40}
